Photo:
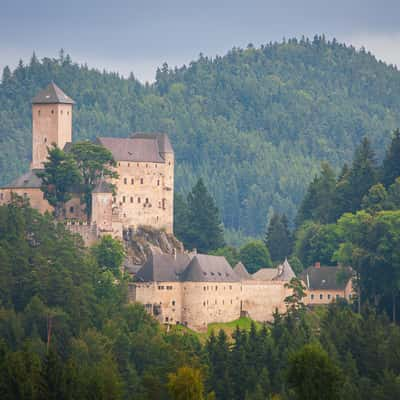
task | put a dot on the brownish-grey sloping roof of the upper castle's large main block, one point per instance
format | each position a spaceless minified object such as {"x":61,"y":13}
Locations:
{"x":133,"y":149}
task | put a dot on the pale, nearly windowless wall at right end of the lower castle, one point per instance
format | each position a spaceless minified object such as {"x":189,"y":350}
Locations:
{"x":260,"y":299}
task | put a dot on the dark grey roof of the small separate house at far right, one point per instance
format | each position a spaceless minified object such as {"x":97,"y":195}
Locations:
{"x":324,"y":278}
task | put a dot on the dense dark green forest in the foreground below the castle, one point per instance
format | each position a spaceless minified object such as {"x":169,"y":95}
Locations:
{"x":66,"y":332}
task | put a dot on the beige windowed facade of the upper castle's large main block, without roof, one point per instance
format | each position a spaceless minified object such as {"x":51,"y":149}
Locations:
{"x":145,"y":193}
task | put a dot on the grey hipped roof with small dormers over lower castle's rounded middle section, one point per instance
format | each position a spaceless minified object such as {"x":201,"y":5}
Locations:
{"x":205,"y":268}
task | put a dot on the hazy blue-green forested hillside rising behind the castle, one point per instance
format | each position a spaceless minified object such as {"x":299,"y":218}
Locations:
{"x":255,"y":124}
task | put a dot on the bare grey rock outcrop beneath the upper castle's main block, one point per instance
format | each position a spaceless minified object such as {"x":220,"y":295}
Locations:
{"x":142,"y":241}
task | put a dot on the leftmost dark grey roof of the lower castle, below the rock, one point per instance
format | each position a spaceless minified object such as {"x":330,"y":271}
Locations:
{"x":163,"y":268}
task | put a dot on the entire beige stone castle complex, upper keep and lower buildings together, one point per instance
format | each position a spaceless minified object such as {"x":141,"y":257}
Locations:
{"x":181,"y":288}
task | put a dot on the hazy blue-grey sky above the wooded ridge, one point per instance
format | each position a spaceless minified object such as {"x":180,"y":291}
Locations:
{"x":138,"y":36}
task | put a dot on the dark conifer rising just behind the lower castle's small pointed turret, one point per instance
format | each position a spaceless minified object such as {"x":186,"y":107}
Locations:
{"x":278,"y":238}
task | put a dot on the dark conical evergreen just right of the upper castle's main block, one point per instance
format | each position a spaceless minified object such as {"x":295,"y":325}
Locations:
{"x":205,"y":231}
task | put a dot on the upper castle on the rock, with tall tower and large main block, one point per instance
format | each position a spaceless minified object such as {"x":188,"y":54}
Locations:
{"x":144,"y":164}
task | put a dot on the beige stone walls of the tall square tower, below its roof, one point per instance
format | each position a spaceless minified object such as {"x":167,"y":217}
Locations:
{"x":51,"y":123}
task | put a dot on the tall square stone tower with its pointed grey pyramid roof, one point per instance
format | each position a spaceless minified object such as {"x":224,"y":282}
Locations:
{"x":51,"y":122}
